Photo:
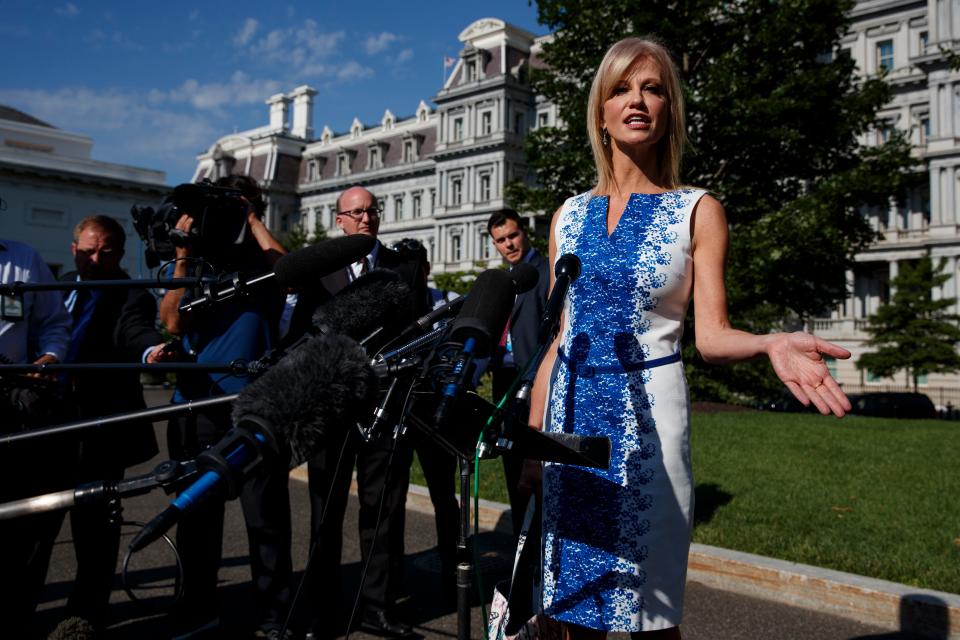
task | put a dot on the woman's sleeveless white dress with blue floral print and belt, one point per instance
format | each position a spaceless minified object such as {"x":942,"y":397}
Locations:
{"x":616,"y":540}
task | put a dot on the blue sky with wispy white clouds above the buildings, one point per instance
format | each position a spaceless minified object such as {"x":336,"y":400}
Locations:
{"x":154,"y":84}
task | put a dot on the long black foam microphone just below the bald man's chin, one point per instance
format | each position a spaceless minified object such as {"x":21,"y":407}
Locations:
{"x":299,"y":269}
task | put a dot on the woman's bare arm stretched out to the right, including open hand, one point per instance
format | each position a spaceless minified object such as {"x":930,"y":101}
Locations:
{"x":797,"y":358}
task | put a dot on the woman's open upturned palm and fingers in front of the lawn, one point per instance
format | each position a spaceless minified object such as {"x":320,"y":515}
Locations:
{"x":797,"y":359}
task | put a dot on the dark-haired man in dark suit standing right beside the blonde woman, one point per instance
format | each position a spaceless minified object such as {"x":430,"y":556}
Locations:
{"x":519,"y":342}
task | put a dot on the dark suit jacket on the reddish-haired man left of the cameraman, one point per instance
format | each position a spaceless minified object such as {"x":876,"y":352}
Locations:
{"x":123,"y":325}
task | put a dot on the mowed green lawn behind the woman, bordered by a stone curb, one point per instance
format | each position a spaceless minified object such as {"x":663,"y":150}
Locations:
{"x":870,"y":496}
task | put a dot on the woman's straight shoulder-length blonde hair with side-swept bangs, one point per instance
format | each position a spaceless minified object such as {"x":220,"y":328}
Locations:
{"x":618,"y":64}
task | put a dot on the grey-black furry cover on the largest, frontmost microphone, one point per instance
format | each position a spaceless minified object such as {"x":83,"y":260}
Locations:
{"x":312,"y":395}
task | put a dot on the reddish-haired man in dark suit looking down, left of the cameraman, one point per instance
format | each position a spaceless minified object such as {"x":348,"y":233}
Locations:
{"x":109,"y":325}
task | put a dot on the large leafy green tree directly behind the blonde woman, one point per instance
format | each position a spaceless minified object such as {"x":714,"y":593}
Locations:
{"x":774,"y":120}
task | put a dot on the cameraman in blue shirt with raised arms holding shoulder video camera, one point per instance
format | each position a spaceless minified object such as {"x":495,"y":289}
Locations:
{"x":243,"y":327}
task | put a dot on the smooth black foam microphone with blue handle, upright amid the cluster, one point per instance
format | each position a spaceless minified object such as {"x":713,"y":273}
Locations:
{"x":479,"y":324}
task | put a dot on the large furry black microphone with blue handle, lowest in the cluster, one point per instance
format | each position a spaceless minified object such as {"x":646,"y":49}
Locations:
{"x":284,"y":417}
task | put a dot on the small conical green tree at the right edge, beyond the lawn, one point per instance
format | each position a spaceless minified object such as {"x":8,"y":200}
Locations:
{"x":913,"y":332}
